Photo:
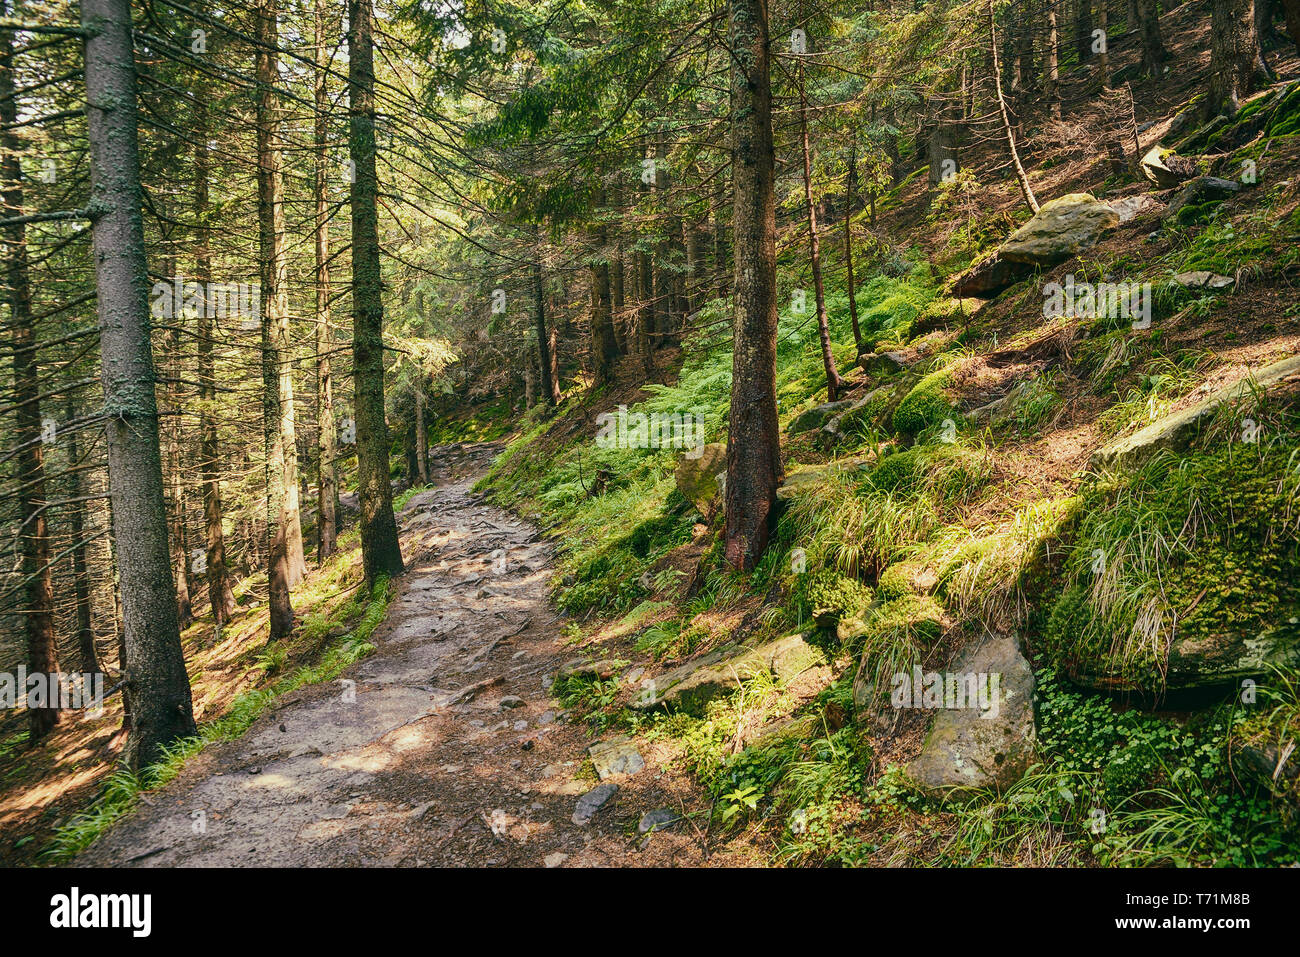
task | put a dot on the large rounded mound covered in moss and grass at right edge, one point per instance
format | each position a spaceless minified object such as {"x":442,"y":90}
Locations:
{"x":1186,"y":573}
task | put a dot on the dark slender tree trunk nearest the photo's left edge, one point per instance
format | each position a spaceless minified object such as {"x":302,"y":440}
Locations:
{"x":33,"y":531}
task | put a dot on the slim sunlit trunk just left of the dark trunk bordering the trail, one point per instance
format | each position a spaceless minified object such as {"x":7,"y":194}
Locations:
{"x":327,"y":440}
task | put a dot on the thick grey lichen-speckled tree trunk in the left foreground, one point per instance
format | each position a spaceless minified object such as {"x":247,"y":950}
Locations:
{"x":158,"y":686}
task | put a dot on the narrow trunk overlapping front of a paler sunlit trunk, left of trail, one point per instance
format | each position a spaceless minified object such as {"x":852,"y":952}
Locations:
{"x":275,"y":321}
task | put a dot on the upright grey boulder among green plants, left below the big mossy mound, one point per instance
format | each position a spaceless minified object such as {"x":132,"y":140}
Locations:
{"x":986,"y":743}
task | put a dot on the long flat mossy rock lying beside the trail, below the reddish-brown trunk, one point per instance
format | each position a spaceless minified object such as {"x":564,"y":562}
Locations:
{"x":695,"y":685}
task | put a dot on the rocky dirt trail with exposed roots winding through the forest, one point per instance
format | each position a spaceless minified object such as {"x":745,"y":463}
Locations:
{"x":423,"y":767}
